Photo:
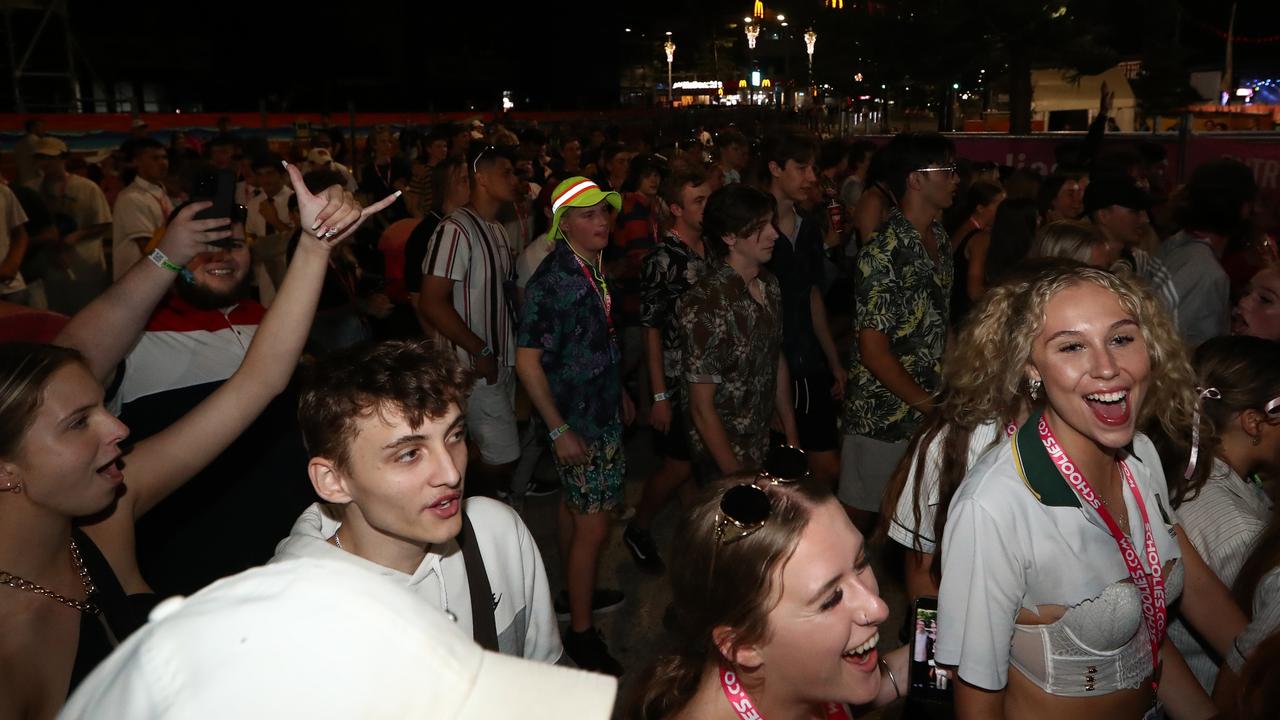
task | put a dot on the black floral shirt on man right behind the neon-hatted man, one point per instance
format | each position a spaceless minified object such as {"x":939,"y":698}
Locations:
{"x":668,"y":275}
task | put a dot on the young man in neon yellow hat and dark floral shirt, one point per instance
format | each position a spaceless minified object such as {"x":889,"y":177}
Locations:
{"x":570,"y":363}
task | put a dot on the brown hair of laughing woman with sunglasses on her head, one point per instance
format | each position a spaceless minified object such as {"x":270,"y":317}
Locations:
{"x":716,"y":585}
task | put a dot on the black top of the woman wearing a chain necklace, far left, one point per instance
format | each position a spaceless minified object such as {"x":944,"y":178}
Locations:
{"x":121,"y":614}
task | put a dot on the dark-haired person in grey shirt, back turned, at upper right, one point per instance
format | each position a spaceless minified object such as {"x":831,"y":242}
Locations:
{"x":1218,"y":203}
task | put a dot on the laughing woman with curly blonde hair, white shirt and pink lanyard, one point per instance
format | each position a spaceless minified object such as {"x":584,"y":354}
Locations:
{"x":1060,"y":554}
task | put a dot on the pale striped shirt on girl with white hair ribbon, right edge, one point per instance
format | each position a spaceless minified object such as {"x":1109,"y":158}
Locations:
{"x":1223,"y":522}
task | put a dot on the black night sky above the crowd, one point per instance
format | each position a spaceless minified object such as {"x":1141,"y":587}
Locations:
{"x":431,"y":54}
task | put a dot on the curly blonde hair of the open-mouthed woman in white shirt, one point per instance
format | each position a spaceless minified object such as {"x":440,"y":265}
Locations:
{"x":996,"y":345}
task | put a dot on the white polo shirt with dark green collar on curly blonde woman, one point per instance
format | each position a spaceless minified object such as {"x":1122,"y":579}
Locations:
{"x":1018,"y":537}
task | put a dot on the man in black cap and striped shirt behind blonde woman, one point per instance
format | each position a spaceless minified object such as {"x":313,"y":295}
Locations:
{"x":1119,"y":209}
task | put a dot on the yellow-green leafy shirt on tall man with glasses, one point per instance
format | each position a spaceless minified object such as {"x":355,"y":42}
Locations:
{"x":900,"y":291}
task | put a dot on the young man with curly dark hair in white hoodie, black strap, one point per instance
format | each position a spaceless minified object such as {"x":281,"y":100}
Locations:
{"x":388,"y":443}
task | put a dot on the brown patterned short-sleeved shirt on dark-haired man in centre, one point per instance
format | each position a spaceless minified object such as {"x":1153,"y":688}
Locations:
{"x":733,"y":341}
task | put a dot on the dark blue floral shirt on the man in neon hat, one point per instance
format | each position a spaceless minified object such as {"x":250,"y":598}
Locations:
{"x":564,"y":317}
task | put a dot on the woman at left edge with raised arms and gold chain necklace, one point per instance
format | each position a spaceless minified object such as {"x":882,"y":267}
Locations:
{"x":70,"y":498}
